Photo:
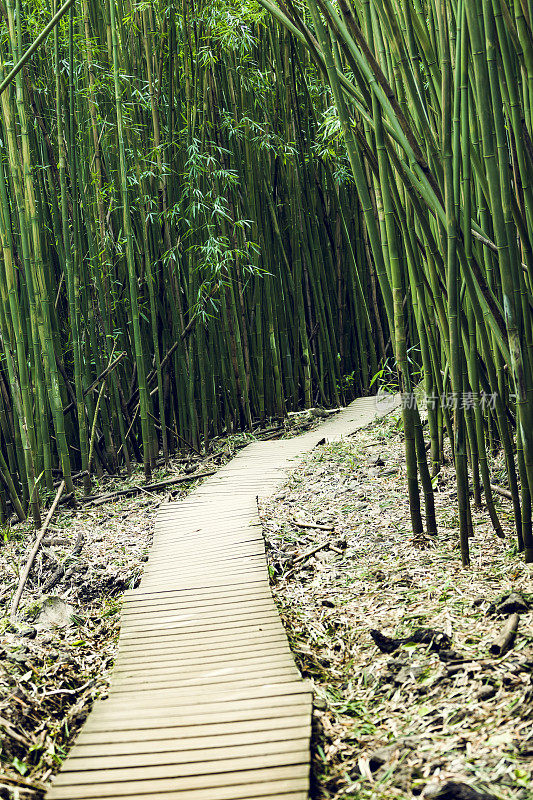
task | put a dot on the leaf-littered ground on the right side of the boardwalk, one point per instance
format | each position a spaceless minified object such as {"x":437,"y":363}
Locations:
{"x":411,"y":723}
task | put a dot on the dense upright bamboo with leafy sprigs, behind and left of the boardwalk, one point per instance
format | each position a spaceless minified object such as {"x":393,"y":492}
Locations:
{"x":182,"y":253}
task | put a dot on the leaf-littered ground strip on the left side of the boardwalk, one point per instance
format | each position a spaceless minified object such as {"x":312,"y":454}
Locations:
{"x":56,"y":660}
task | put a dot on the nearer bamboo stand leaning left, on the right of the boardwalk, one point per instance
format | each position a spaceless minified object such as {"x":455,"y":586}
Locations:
{"x":435,"y":102}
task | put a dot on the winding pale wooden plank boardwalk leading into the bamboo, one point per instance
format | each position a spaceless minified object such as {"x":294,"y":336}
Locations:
{"x":205,"y":701}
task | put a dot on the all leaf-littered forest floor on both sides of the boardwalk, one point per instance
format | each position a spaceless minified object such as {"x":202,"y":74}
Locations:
{"x":386,"y":726}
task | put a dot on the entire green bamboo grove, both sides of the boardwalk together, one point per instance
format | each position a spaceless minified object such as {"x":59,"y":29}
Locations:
{"x":214,"y":212}
